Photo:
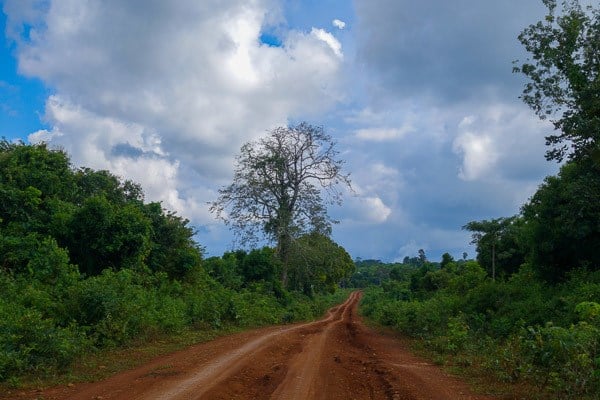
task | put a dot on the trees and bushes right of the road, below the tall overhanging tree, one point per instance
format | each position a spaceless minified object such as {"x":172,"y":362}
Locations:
{"x":528,"y":309}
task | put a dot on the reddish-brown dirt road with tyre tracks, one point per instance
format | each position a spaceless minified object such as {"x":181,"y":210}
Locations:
{"x":334,"y":358}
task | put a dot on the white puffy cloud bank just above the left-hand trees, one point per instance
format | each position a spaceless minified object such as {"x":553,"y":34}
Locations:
{"x":141,"y":158}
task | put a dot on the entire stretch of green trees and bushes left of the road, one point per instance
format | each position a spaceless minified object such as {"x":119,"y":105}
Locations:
{"x":87,"y":264}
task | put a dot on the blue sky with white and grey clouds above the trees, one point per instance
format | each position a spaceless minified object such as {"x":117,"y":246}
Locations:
{"x":419,"y":96}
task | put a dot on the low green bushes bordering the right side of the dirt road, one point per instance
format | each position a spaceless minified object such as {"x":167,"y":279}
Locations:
{"x":521,"y":329}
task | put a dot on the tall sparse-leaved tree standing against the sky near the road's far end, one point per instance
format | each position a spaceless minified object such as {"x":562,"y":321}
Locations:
{"x":281,"y":186}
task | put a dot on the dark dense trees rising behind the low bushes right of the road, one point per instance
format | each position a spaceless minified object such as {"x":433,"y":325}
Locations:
{"x":558,"y":229}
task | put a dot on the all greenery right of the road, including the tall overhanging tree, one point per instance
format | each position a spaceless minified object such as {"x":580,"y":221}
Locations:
{"x":527,"y":311}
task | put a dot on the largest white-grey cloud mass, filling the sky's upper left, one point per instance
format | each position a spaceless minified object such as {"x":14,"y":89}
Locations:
{"x":166,"y":94}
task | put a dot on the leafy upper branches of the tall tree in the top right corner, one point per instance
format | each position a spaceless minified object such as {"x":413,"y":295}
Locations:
{"x":564,"y":78}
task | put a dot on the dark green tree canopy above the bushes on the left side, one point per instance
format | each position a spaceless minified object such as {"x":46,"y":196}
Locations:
{"x":96,"y":217}
